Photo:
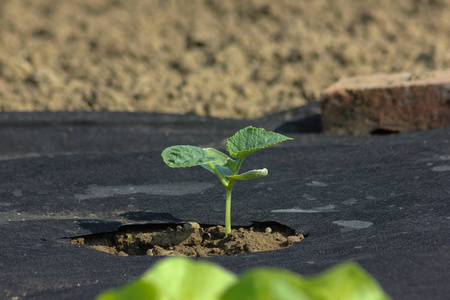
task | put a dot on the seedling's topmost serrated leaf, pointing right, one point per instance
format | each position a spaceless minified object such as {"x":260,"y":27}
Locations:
{"x":251,"y":139}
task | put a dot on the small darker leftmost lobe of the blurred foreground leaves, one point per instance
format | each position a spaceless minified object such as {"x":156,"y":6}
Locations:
{"x":136,"y":290}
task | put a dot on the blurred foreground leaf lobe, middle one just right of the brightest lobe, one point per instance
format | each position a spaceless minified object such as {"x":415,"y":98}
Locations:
{"x":267,"y":284}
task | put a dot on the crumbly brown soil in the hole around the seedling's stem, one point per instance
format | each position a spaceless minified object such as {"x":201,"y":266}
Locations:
{"x":191,"y":239}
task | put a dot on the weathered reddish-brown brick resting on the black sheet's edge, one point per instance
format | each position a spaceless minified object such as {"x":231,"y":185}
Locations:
{"x":394,"y":103}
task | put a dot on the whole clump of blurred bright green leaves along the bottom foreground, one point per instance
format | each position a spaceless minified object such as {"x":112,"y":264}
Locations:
{"x":182,"y":278}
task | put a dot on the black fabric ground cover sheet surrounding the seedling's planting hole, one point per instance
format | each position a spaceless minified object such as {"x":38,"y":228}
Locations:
{"x":379,"y":200}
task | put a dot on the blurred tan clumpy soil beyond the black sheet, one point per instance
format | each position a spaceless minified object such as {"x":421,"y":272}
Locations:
{"x":220,"y":58}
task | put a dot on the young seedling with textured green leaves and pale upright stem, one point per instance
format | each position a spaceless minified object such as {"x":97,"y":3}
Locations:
{"x":239,"y":146}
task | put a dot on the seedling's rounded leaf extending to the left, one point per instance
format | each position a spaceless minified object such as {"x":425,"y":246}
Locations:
{"x":183,"y":156}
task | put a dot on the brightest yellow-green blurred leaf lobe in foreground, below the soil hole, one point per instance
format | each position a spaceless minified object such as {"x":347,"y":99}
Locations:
{"x":182,"y":278}
